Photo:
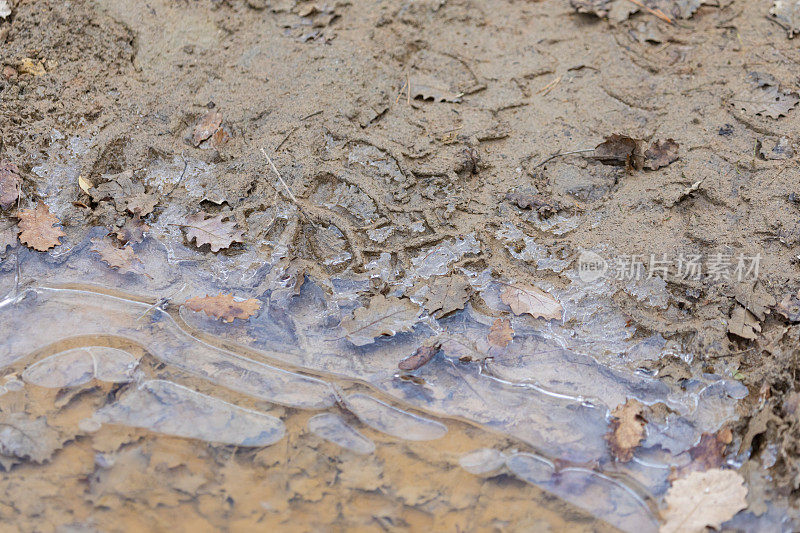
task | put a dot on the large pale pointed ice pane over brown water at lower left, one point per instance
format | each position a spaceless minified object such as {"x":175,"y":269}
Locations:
{"x":168,"y":408}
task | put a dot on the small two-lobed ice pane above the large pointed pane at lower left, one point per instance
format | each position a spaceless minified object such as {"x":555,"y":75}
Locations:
{"x":80,"y":365}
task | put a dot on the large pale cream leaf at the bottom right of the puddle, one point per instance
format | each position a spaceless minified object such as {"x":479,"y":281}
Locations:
{"x":703,"y":499}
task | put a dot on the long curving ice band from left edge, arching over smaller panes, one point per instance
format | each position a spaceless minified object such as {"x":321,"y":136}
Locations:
{"x":63,"y":313}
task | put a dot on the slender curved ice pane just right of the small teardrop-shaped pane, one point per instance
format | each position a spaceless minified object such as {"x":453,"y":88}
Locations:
{"x":393,"y":421}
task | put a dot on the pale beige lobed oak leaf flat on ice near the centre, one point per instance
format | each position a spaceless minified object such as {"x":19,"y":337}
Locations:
{"x":382,"y":317}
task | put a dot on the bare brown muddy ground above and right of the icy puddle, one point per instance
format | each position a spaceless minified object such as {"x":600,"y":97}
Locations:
{"x":464,"y":104}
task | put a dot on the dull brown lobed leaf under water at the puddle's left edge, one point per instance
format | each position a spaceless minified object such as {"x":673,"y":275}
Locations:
{"x":27,"y":438}
